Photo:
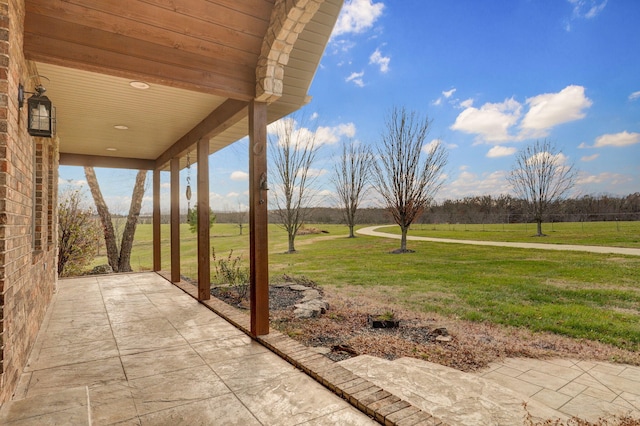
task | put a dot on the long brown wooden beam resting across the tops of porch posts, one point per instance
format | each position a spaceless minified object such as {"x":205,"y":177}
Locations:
{"x":225,"y":116}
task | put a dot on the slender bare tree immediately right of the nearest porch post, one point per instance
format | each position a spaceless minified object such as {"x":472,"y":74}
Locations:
{"x":293,"y":151}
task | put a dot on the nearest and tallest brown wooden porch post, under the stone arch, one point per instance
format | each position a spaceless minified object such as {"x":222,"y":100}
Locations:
{"x":258,"y":221}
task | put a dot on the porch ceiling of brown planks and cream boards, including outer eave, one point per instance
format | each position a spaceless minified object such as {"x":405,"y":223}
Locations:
{"x":199,"y":58}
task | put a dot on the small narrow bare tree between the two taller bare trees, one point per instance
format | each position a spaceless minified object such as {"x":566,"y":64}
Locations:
{"x":350,"y":179}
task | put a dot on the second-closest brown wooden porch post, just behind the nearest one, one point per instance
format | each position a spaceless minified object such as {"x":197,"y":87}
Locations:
{"x":204,"y":260}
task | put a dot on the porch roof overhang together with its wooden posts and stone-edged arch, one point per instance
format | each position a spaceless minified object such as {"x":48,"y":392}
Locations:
{"x":217,"y":71}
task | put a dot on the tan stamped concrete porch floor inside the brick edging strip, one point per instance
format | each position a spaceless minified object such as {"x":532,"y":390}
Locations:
{"x":133,"y":349}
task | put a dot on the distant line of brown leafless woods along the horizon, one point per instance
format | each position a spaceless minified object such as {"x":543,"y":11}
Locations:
{"x":478,"y":209}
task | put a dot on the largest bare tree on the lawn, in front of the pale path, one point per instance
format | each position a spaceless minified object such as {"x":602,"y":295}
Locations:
{"x":406,"y":179}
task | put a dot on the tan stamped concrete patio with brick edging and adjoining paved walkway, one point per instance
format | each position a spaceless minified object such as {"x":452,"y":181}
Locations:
{"x":134,"y":349}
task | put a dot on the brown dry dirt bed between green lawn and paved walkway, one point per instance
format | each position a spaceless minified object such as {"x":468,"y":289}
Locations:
{"x":469,"y":346}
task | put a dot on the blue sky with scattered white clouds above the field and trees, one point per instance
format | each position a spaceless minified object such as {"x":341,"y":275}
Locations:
{"x":493,"y":76}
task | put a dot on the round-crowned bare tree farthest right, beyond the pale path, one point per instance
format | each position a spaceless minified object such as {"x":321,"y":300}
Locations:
{"x":541,"y":177}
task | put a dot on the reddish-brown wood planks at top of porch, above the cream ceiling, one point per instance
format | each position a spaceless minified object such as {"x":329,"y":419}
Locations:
{"x":197,"y":45}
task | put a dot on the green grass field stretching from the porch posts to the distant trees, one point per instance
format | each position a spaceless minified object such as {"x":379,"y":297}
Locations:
{"x":581,"y":295}
